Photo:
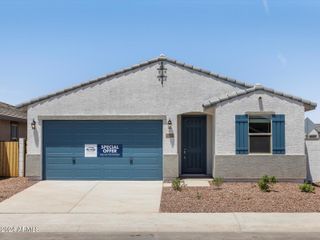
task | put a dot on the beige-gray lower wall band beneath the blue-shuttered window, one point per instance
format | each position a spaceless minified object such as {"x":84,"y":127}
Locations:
{"x":253,"y":167}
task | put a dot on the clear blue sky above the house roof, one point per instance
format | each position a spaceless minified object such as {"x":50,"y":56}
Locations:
{"x":46,"y":46}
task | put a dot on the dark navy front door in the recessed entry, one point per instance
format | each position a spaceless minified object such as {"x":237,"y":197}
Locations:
{"x":194,"y":145}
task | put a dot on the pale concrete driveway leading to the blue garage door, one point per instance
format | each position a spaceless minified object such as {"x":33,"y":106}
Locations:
{"x":86,"y":197}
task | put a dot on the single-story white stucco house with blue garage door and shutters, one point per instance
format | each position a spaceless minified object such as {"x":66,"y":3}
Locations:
{"x":162,"y":119}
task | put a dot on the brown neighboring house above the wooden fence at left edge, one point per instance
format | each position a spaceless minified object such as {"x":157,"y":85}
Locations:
{"x":13,"y":123}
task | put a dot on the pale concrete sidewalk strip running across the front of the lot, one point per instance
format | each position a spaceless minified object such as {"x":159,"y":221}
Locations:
{"x":166,"y":222}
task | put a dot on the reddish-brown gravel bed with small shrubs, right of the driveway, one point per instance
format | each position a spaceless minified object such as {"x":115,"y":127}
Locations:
{"x":240,"y":197}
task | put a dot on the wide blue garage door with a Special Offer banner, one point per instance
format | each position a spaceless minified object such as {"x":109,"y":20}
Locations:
{"x":64,"y":150}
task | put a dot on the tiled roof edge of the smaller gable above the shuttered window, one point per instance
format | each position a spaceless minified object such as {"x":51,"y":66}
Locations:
{"x":308,"y":104}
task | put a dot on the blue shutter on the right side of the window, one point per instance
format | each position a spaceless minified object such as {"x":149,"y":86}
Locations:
{"x":278,"y":134}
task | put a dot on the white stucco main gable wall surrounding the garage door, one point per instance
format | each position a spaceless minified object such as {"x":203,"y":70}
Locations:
{"x":134,"y":95}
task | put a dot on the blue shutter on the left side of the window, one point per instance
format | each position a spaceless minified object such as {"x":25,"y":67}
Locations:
{"x":242,"y":134}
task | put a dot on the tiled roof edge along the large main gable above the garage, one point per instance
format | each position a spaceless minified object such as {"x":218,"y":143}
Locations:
{"x":134,"y":67}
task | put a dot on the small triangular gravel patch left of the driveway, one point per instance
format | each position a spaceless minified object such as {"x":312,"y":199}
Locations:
{"x":11,"y":186}
